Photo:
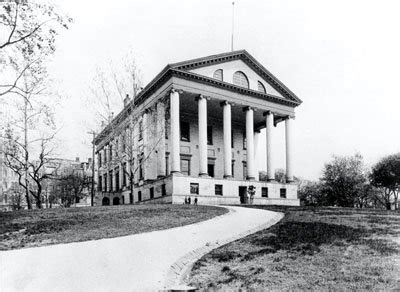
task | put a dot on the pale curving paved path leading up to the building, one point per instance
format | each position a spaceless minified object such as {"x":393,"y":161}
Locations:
{"x":147,"y":261}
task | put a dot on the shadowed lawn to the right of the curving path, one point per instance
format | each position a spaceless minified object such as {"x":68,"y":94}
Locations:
{"x":311,"y":248}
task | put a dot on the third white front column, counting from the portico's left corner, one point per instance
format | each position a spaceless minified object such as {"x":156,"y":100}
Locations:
{"x":227,"y":140}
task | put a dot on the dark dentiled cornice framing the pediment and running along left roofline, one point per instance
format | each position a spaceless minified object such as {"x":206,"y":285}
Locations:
{"x":181,"y":69}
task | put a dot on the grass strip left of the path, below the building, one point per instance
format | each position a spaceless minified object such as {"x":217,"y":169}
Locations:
{"x":29,"y":228}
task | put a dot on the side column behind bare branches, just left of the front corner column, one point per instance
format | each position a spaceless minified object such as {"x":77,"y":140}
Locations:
{"x":160,"y":139}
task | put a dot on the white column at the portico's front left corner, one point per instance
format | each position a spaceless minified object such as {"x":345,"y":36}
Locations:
{"x":175,"y":130}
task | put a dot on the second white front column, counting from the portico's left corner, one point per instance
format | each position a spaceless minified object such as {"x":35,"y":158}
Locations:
{"x":202,"y":111}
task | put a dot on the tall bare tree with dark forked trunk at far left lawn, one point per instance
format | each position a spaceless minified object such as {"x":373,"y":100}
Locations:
{"x":26,"y":134}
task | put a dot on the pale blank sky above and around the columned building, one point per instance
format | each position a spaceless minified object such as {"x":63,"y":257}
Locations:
{"x":340,"y":57}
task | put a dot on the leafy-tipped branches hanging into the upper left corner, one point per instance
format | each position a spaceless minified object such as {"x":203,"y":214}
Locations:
{"x":29,"y":30}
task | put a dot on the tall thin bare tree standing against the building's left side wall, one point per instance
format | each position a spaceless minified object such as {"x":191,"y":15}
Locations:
{"x":110,"y":92}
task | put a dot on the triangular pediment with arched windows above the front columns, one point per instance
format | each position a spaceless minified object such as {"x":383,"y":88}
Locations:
{"x":241,"y":61}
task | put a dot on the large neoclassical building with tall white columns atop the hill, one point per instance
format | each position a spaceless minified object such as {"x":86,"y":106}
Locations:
{"x":192,"y":131}
